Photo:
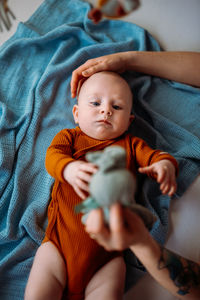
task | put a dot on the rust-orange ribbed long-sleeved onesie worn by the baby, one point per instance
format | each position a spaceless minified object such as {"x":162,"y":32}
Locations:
{"x":83,"y":256}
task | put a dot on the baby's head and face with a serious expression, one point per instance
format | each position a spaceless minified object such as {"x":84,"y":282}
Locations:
{"x":104,"y":106}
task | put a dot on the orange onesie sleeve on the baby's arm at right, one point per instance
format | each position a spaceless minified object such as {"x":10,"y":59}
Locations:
{"x":146,"y":156}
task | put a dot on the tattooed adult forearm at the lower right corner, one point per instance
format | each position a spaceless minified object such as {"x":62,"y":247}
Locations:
{"x":179,"y":276}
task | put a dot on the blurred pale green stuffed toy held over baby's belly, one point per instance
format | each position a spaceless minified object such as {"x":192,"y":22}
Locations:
{"x":112,"y":183}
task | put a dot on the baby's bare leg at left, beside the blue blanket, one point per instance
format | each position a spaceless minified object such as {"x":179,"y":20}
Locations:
{"x":47,"y":278}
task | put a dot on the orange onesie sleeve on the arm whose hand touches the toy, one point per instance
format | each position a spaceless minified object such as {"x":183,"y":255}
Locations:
{"x":59,"y":154}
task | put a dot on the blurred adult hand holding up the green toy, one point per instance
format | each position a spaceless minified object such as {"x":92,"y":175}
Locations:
{"x":125,"y":228}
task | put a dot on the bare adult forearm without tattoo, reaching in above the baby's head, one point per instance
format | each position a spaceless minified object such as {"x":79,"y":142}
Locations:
{"x":173,"y":65}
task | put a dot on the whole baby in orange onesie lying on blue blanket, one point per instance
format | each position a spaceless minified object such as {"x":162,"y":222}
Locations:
{"x":69,"y":263}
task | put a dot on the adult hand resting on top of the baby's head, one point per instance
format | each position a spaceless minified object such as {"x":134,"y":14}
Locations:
{"x":114,"y":62}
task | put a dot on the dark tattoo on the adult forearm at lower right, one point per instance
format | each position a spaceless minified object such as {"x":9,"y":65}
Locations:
{"x":184,"y":273}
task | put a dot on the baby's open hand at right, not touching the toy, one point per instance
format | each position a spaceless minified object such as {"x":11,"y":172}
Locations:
{"x":164,"y":171}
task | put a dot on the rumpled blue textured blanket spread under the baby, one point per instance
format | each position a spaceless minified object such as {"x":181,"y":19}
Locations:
{"x":36,"y":65}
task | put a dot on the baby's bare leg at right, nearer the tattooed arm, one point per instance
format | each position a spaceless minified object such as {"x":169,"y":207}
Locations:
{"x":108,"y":282}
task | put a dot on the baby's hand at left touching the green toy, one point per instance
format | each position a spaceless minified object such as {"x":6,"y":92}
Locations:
{"x":78,"y":174}
